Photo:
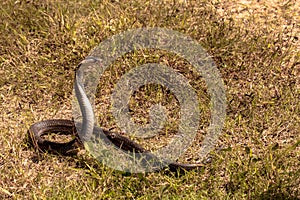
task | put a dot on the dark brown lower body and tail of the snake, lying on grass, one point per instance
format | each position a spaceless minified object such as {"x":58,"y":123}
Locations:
{"x":67,"y":127}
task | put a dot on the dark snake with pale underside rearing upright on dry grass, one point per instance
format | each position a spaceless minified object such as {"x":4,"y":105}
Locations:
{"x":67,"y":127}
